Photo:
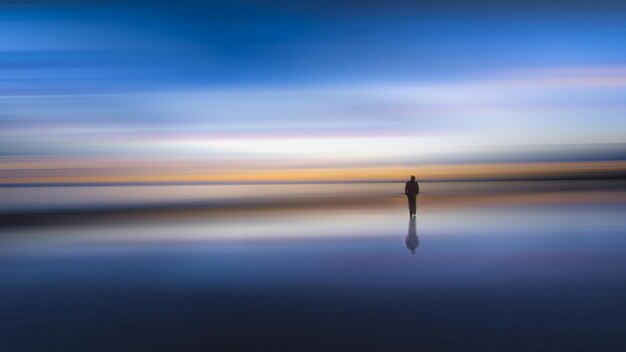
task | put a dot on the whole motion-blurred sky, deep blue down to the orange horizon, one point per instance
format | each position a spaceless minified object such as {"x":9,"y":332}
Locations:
{"x":158,"y":90}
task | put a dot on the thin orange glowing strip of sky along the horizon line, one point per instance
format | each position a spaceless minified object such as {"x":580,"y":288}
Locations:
{"x":147,"y":173}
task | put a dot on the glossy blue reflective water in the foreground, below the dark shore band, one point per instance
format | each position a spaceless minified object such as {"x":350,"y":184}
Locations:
{"x":484,"y":278}
